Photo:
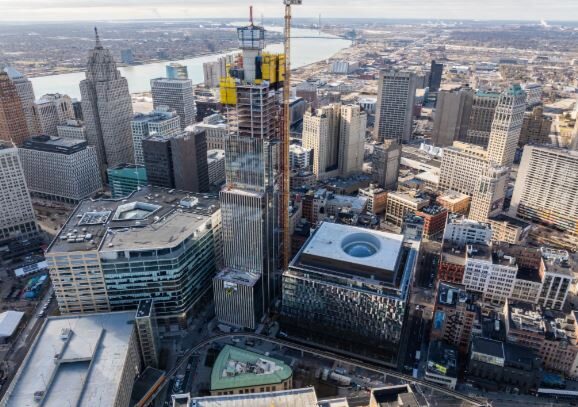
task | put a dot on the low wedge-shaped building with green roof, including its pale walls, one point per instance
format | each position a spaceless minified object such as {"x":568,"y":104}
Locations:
{"x":239,"y":371}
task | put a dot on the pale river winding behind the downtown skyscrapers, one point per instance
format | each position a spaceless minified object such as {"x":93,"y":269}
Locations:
{"x":304,"y":51}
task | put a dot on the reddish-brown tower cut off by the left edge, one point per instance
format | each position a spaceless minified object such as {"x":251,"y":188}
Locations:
{"x":13,"y":124}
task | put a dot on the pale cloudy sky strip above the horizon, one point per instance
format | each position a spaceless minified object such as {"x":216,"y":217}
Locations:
{"x":51,"y":10}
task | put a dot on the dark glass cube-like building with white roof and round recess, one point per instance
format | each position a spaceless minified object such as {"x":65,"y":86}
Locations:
{"x":348,"y":288}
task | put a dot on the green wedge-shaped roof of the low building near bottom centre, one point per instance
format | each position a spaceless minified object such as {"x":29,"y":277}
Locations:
{"x":232,"y":370}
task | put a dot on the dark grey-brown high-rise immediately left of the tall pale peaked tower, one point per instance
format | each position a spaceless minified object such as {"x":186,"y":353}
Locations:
{"x":481,"y":118}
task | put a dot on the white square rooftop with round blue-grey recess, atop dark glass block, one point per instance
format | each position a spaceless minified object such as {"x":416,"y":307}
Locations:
{"x":376,"y":249}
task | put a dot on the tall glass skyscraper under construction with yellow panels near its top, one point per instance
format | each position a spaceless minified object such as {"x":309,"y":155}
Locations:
{"x":250,"y":198}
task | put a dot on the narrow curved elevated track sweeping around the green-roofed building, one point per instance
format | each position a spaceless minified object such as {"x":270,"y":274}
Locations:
{"x":155,"y":391}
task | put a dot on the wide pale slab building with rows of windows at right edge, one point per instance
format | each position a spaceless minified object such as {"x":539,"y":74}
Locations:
{"x":546,"y":188}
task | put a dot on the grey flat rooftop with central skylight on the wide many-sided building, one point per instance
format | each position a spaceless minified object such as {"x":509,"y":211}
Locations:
{"x":150,"y":218}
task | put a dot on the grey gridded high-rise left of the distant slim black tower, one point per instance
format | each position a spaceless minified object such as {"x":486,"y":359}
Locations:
{"x":395,"y":102}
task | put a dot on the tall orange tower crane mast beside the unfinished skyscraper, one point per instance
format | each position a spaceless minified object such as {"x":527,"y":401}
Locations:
{"x":286,"y":137}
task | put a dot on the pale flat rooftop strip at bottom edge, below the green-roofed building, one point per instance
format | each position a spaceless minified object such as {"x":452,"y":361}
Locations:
{"x":287,"y":398}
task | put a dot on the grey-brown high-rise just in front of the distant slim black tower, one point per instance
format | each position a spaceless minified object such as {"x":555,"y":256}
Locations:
{"x":452,"y":116}
